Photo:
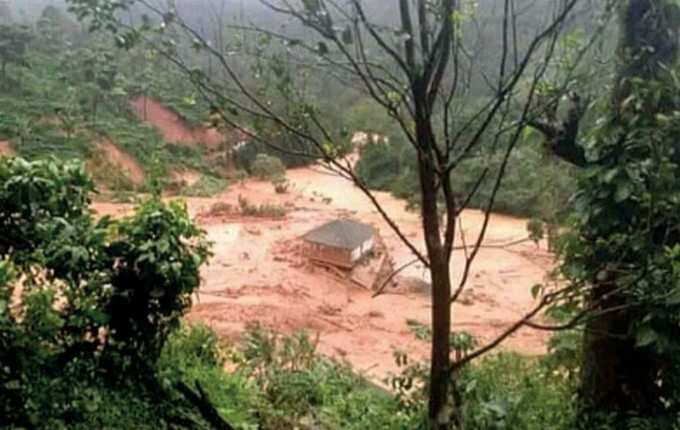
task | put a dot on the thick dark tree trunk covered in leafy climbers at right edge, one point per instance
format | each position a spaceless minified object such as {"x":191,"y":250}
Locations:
{"x":623,"y":253}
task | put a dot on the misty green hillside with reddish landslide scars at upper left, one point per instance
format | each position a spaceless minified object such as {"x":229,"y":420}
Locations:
{"x":69,"y":94}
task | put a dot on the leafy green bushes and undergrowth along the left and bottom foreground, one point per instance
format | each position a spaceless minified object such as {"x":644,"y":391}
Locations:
{"x":90,"y":335}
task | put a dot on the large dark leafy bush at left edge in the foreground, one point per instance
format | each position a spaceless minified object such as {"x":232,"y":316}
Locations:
{"x":82,"y":300}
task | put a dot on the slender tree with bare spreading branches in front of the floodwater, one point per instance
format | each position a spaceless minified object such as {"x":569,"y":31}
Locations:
{"x":421,"y":69}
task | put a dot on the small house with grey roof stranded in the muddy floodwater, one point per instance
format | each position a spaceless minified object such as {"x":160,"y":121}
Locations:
{"x":341,"y":243}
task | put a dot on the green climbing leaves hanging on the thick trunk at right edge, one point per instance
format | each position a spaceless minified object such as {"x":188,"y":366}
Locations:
{"x":624,"y":228}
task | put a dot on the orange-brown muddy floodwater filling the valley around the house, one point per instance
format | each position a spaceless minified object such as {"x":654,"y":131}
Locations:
{"x":259,"y":273}
